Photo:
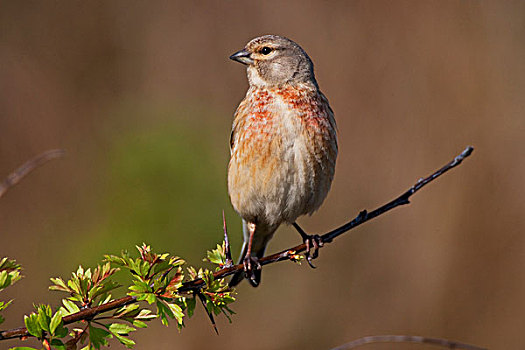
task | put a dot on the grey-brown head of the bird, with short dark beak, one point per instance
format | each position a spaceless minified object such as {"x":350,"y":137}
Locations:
{"x":274,"y":61}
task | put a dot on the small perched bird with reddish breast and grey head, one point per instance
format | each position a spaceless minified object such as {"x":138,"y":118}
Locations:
{"x":283,"y":147}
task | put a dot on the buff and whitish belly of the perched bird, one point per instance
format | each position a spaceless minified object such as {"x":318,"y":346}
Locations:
{"x":278,"y":182}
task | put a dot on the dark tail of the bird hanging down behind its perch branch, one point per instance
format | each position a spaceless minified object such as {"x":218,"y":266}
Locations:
{"x":262,"y":236}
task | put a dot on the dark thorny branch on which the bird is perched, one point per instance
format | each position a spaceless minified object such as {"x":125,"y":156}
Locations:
{"x":288,"y":254}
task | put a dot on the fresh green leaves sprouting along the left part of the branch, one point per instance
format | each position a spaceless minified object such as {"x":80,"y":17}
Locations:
{"x":156,"y":280}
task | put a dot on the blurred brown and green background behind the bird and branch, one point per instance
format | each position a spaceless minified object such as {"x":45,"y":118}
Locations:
{"x":141,"y":96}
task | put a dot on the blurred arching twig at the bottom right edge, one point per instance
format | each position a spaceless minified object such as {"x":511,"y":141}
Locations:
{"x":407,"y":339}
